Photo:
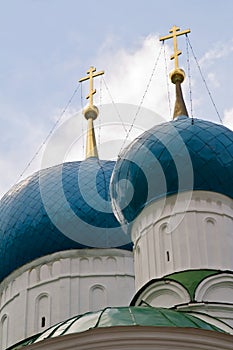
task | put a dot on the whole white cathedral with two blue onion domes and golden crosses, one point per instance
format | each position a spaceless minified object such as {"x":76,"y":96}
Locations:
{"x":132,"y":254}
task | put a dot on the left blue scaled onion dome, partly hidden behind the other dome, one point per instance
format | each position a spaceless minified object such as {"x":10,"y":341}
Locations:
{"x":63,"y":207}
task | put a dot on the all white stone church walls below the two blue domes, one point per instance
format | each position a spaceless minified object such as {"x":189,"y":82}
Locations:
{"x":190,"y":232}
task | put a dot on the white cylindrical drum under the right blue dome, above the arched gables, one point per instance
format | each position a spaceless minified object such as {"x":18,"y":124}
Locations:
{"x":191,"y":231}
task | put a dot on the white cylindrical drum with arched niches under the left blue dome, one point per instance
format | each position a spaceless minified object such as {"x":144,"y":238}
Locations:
{"x":58,"y":286}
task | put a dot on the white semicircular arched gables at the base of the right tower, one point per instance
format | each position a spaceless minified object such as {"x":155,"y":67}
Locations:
{"x":213,"y":296}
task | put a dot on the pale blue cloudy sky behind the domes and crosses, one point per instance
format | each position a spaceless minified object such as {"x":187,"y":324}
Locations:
{"x":47,"y":45}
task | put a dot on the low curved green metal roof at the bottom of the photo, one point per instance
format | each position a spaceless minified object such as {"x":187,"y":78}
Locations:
{"x":122,"y":316}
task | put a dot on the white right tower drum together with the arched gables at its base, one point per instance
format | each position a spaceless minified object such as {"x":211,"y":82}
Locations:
{"x":190,"y":232}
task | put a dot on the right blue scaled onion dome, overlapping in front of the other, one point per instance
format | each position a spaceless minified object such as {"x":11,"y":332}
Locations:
{"x":182,"y":155}
